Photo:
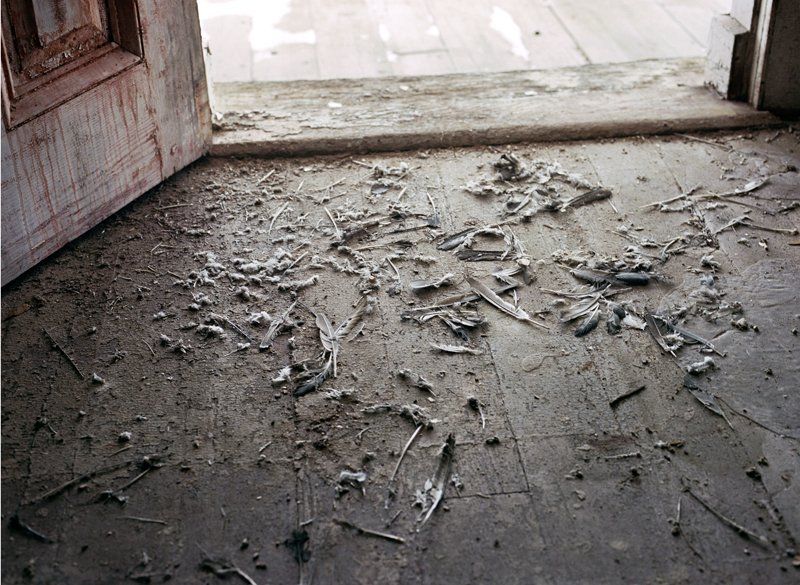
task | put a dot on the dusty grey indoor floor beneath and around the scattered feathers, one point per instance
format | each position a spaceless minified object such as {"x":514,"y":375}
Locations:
{"x":192,"y":448}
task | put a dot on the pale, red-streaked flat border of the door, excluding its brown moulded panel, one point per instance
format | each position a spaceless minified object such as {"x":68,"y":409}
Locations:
{"x":73,"y":166}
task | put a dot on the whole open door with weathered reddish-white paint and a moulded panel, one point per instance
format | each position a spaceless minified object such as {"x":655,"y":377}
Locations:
{"x":102,"y":100}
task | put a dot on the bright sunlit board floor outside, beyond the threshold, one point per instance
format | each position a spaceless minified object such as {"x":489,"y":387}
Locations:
{"x":284,"y":40}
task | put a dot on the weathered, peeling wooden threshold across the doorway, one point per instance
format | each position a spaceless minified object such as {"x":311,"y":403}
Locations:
{"x":402,"y":113}
